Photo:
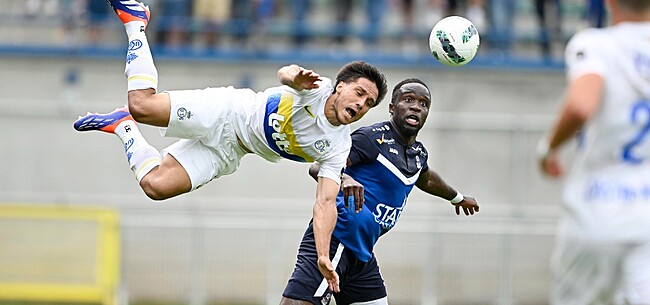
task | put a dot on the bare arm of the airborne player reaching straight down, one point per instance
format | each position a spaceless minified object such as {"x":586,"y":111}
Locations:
{"x":324,"y":220}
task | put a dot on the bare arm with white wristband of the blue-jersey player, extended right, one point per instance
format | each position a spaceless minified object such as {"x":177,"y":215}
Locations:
{"x":430,"y":182}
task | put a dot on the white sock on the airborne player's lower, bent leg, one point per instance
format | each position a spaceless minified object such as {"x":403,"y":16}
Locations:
{"x":142,"y":157}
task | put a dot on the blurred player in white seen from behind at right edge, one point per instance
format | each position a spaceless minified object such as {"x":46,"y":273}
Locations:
{"x":602,"y":253}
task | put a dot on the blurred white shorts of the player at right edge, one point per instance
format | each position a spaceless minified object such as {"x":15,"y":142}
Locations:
{"x":592,"y":273}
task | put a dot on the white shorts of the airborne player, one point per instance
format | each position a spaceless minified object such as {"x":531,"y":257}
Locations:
{"x":202,"y":119}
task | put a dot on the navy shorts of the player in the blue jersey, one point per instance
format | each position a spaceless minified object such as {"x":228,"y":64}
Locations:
{"x":359,"y":281}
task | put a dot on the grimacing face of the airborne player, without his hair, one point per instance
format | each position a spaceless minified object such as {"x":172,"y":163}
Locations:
{"x":354,"y":100}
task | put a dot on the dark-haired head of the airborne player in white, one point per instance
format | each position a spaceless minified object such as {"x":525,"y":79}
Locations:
{"x":359,"y":86}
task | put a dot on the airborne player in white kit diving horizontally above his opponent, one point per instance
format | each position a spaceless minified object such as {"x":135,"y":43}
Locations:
{"x":306,"y":120}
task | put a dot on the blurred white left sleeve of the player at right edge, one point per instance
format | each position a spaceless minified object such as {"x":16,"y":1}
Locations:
{"x":583,"y":54}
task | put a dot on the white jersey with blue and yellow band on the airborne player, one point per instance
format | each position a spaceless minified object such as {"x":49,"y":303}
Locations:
{"x":284,"y":123}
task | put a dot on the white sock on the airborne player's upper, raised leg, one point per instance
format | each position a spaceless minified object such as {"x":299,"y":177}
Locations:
{"x":140,"y":70}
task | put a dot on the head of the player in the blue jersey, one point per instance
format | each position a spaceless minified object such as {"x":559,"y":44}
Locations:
{"x":409,"y":106}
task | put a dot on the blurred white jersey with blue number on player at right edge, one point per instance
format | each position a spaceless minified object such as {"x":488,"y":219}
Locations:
{"x":608,"y":187}
